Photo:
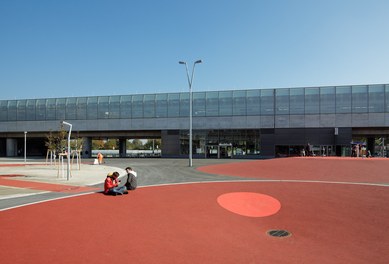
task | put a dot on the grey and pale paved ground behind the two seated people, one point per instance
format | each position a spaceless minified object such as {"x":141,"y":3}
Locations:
{"x":151,"y":172}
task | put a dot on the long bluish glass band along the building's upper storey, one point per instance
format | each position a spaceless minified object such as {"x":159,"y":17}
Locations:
{"x":259,"y":102}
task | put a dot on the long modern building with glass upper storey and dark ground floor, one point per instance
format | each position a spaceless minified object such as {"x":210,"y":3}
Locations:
{"x":255,"y":123}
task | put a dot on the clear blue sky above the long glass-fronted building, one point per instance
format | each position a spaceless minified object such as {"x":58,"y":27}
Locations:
{"x":53,"y":48}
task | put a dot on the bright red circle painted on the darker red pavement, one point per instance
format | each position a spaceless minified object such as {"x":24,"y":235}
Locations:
{"x":249,"y":204}
